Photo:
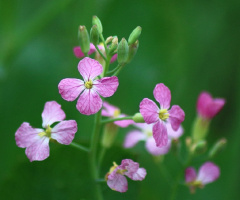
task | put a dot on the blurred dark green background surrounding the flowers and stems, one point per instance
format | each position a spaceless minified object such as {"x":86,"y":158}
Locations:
{"x":190,"y":46}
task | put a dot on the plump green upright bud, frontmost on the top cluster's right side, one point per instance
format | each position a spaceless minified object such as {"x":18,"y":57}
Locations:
{"x":122,"y":52}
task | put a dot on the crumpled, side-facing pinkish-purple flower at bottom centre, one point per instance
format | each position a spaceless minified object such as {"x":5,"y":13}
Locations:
{"x":116,"y":179}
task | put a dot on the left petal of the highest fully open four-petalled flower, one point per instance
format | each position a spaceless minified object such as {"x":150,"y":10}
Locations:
{"x":70,"y":88}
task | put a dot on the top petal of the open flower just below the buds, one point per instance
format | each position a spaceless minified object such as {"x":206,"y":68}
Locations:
{"x":89,"y":68}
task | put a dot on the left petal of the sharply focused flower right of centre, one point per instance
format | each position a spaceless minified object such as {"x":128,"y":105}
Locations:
{"x":149,"y":111}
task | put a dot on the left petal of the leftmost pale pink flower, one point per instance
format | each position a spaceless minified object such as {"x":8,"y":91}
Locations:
{"x":25,"y":136}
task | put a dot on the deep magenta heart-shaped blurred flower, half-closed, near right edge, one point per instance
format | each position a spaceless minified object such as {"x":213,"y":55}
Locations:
{"x":208,"y":107}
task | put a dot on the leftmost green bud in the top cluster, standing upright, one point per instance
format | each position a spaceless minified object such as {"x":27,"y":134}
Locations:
{"x":84,"y":39}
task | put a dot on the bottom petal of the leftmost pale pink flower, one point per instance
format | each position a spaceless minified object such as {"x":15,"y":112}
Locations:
{"x":39,"y":150}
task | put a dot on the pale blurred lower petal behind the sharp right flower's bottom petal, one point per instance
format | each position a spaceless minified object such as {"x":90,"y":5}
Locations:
{"x":154,"y":150}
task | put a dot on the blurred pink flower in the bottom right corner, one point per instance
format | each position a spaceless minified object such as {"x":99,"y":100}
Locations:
{"x":208,"y":173}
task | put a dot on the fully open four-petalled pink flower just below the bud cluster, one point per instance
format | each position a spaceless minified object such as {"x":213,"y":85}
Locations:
{"x":89,"y":90}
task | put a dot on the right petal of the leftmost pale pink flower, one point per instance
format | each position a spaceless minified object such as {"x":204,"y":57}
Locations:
{"x":64,"y":131}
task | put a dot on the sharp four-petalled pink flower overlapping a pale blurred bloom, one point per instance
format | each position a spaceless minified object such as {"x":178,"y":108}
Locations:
{"x":153,"y":115}
